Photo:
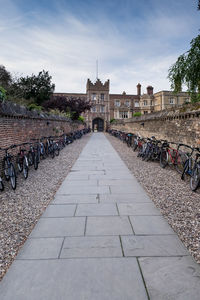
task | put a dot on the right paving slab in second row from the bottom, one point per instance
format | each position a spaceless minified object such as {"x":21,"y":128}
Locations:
{"x":155,"y":245}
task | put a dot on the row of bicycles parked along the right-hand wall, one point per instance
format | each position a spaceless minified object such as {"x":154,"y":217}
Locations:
{"x":185,"y":158}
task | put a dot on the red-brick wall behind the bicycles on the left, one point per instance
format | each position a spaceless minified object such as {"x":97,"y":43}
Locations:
{"x":18,"y":125}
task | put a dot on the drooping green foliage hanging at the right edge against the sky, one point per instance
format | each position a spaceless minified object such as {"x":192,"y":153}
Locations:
{"x":186,"y":70}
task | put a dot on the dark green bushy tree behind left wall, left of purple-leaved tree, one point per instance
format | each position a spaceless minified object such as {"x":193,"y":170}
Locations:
{"x":39,"y":88}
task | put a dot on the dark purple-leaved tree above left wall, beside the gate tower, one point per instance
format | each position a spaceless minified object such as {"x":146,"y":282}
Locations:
{"x":74,"y":105}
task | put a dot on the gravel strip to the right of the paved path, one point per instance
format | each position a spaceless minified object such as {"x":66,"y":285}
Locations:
{"x":177,"y":203}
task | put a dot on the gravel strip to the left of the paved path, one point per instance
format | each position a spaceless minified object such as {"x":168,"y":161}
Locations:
{"x":21,"y":209}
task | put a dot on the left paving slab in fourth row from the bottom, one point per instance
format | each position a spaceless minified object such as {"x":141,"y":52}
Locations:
{"x":57,"y":211}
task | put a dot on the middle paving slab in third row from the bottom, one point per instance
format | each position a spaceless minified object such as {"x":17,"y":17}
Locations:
{"x":114,"y":225}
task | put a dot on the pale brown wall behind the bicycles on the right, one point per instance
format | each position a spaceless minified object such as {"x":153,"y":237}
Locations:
{"x":177,"y":125}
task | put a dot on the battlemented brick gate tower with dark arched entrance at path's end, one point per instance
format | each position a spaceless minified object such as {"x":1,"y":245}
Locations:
{"x":99,"y":116}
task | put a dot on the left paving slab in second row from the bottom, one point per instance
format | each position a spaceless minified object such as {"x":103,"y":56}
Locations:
{"x":41,"y":248}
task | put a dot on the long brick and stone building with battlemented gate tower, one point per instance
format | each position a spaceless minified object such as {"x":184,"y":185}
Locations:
{"x":106,"y":106}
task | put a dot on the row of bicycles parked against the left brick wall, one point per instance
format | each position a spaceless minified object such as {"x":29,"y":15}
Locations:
{"x":30,"y":154}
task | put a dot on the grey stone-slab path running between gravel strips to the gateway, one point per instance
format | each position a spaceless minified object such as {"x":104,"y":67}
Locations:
{"x":102,"y":238}
